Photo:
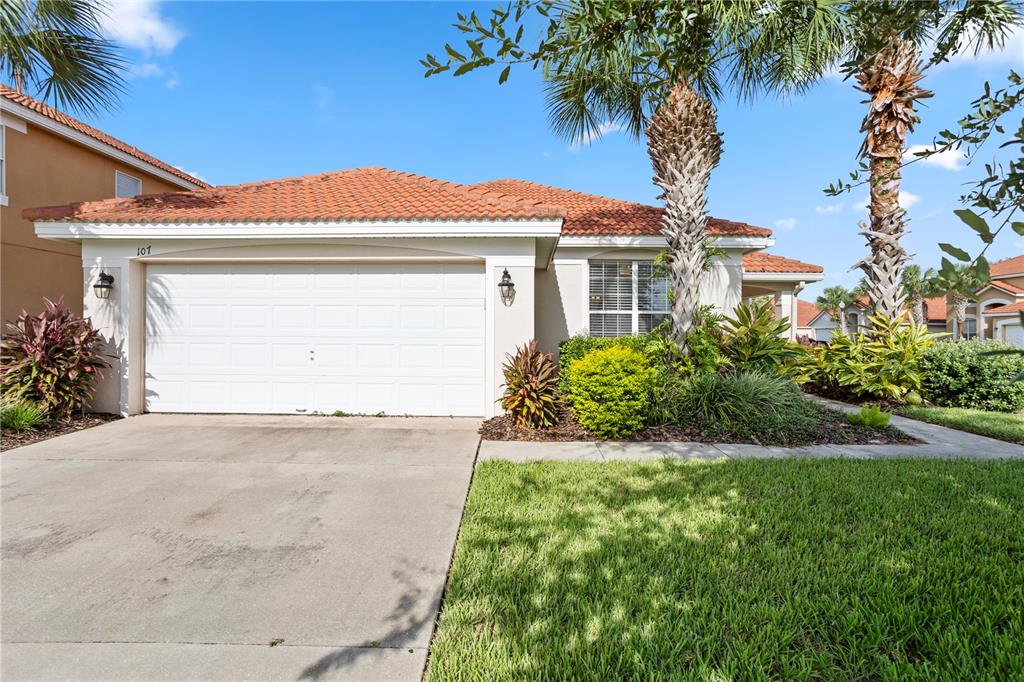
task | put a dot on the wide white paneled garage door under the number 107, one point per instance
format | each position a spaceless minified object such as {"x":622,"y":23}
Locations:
{"x":404,"y":339}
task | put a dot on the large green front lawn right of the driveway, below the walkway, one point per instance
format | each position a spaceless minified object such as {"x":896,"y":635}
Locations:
{"x":806,"y":570}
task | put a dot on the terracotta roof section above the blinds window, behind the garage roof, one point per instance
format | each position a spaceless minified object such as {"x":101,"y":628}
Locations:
{"x":593,"y":216}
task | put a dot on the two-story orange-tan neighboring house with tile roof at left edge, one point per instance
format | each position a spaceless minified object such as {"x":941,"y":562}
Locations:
{"x":50,"y":158}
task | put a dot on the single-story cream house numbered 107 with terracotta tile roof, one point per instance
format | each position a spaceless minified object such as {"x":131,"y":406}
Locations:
{"x":372,"y":290}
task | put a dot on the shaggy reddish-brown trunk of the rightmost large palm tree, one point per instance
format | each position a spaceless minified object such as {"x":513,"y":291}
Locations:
{"x":890,"y":79}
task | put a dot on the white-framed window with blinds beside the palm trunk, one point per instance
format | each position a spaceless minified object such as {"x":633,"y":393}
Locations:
{"x":626,"y":297}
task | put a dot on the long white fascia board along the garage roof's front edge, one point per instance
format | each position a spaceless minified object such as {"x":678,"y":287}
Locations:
{"x":309,"y":230}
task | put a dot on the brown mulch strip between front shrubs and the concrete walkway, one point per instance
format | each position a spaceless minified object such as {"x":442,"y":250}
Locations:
{"x":833,"y":430}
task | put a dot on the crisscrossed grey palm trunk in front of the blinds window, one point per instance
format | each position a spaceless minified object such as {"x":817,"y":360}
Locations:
{"x":685,"y":146}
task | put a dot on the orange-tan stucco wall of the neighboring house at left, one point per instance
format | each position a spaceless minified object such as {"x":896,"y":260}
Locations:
{"x":45,"y":169}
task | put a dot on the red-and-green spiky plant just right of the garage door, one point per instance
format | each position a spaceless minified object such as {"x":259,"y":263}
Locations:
{"x":531,"y":388}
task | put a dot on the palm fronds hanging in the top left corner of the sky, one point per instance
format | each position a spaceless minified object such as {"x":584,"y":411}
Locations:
{"x":57,"y":50}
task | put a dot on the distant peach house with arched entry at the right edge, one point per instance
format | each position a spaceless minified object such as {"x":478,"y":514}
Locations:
{"x":996,"y":315}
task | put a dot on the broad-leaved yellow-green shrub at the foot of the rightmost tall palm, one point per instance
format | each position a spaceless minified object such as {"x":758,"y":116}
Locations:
{"x":884,"y":363}
